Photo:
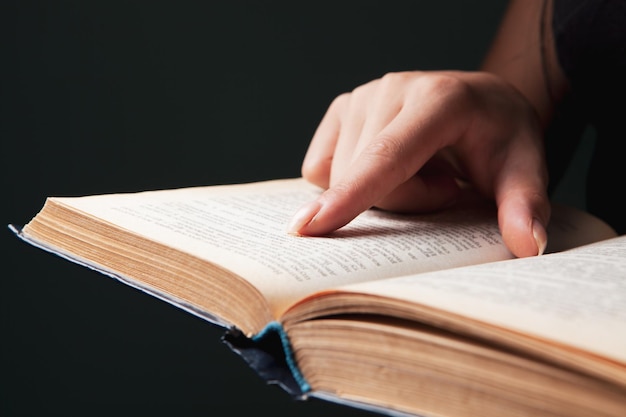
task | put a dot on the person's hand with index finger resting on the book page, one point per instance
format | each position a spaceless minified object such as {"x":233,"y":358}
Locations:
{"x":402,"y":143}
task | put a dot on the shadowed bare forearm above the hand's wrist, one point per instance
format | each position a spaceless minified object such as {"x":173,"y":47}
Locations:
{"x":523,"y":53}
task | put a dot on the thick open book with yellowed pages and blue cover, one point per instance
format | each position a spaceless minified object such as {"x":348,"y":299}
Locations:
{"x":401,"y":314}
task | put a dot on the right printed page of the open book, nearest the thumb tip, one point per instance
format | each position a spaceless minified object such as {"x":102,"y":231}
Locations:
{"x":577,"y":297}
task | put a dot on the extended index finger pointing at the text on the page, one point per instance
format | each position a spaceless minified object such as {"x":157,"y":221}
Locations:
{"x":392,"y":158}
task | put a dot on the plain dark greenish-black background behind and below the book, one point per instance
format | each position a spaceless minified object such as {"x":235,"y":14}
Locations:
{"x":109,"y":96}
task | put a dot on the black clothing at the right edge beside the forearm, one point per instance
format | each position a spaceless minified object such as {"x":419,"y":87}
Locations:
{"x":590,"y":38}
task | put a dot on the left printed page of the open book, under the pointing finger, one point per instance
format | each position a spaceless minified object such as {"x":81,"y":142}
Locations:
{"x":243,"y":228}
